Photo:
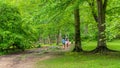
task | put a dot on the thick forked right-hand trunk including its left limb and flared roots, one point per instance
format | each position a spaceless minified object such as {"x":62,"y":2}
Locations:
{"x":100,"y":19}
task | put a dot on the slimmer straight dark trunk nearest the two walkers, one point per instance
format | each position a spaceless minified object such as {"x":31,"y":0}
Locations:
{"x":78,"y":47}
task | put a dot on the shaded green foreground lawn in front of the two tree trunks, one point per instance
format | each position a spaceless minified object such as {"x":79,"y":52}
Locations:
{"x":79,"y":60}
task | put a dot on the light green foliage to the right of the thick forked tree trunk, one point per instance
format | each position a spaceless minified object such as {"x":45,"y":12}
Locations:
{"x":112,"y":20}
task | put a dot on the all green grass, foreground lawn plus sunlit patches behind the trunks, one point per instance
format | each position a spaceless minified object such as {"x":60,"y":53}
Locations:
{"x":85,"y":60}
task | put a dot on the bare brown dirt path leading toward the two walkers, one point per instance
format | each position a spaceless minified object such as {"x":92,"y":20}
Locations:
{"x":26,"y":59}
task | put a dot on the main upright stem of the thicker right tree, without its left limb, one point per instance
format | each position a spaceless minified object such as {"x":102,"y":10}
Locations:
{"x":101,"y":44}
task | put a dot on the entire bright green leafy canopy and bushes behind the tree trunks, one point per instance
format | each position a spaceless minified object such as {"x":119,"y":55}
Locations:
{"x":25,"y":22}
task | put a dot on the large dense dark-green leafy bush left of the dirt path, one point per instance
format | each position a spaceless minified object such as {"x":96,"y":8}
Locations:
{"x":13,"y":31}
